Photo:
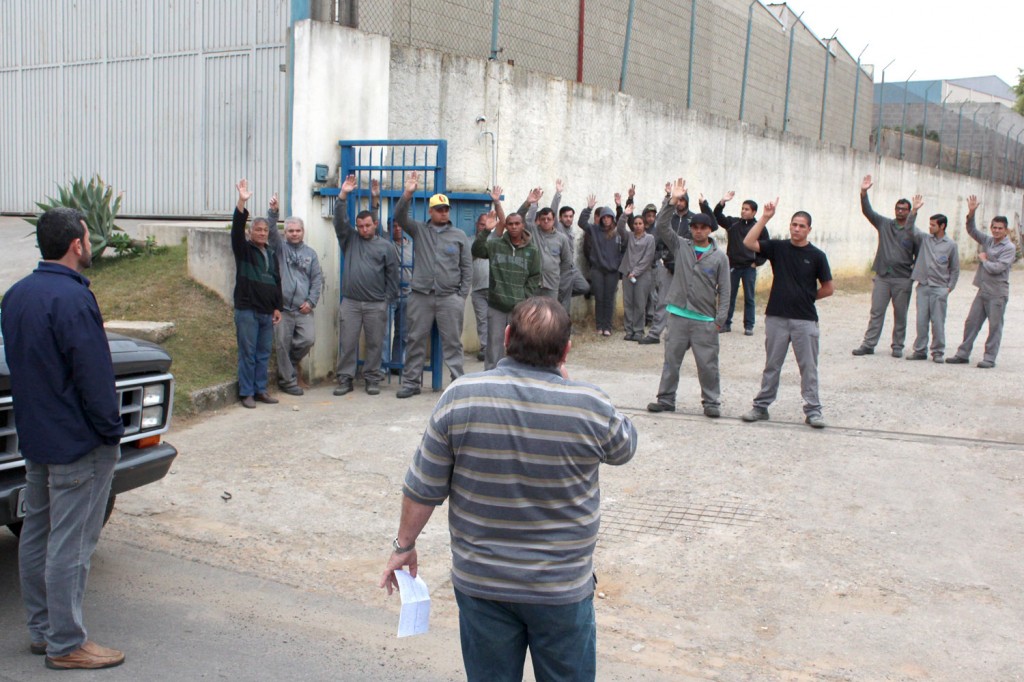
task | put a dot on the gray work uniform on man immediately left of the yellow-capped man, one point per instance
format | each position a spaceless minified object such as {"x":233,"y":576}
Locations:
{"x":369,"y":284}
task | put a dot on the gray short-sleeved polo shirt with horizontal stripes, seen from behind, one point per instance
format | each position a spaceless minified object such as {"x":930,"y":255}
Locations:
{"x":517,"y":452}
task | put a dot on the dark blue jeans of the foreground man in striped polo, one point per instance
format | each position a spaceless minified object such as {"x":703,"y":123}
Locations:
{"x":495,"y":635}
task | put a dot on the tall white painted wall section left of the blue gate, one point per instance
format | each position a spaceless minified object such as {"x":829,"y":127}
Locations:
{"x":342,"y":93}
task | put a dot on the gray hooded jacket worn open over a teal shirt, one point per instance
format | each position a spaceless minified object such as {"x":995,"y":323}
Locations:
{"x":701,"y":286}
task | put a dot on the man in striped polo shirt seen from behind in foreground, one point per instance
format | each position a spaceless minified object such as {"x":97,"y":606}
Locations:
{"x":517,"y":452}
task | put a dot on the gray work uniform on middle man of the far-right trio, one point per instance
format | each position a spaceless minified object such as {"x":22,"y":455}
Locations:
{"x":936,"y":272}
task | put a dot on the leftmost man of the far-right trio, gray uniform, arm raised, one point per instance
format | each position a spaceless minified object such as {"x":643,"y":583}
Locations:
{"x":894,"y":259}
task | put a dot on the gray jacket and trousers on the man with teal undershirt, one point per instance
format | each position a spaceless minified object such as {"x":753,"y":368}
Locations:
{"x":702,"y":287}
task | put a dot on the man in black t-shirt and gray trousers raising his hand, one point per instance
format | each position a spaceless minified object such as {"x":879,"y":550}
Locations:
{"x":791,"y":318}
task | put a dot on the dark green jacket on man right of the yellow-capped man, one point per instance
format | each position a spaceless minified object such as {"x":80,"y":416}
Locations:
{"x":516,"y":272}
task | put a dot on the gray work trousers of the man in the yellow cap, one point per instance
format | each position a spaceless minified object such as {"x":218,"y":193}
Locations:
{"x":424,"y":311}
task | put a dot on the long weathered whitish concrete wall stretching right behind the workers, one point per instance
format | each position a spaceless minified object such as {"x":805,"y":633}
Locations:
{"x":601,"y":142}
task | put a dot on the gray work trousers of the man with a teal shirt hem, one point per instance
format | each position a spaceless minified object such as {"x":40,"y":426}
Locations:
{"x":686,"y":334}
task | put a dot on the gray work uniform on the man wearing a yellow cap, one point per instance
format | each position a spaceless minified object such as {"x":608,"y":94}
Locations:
{"x":442,"y":281}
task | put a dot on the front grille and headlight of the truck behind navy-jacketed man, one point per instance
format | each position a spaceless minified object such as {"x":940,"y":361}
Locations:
{"x":131,"y":397}
